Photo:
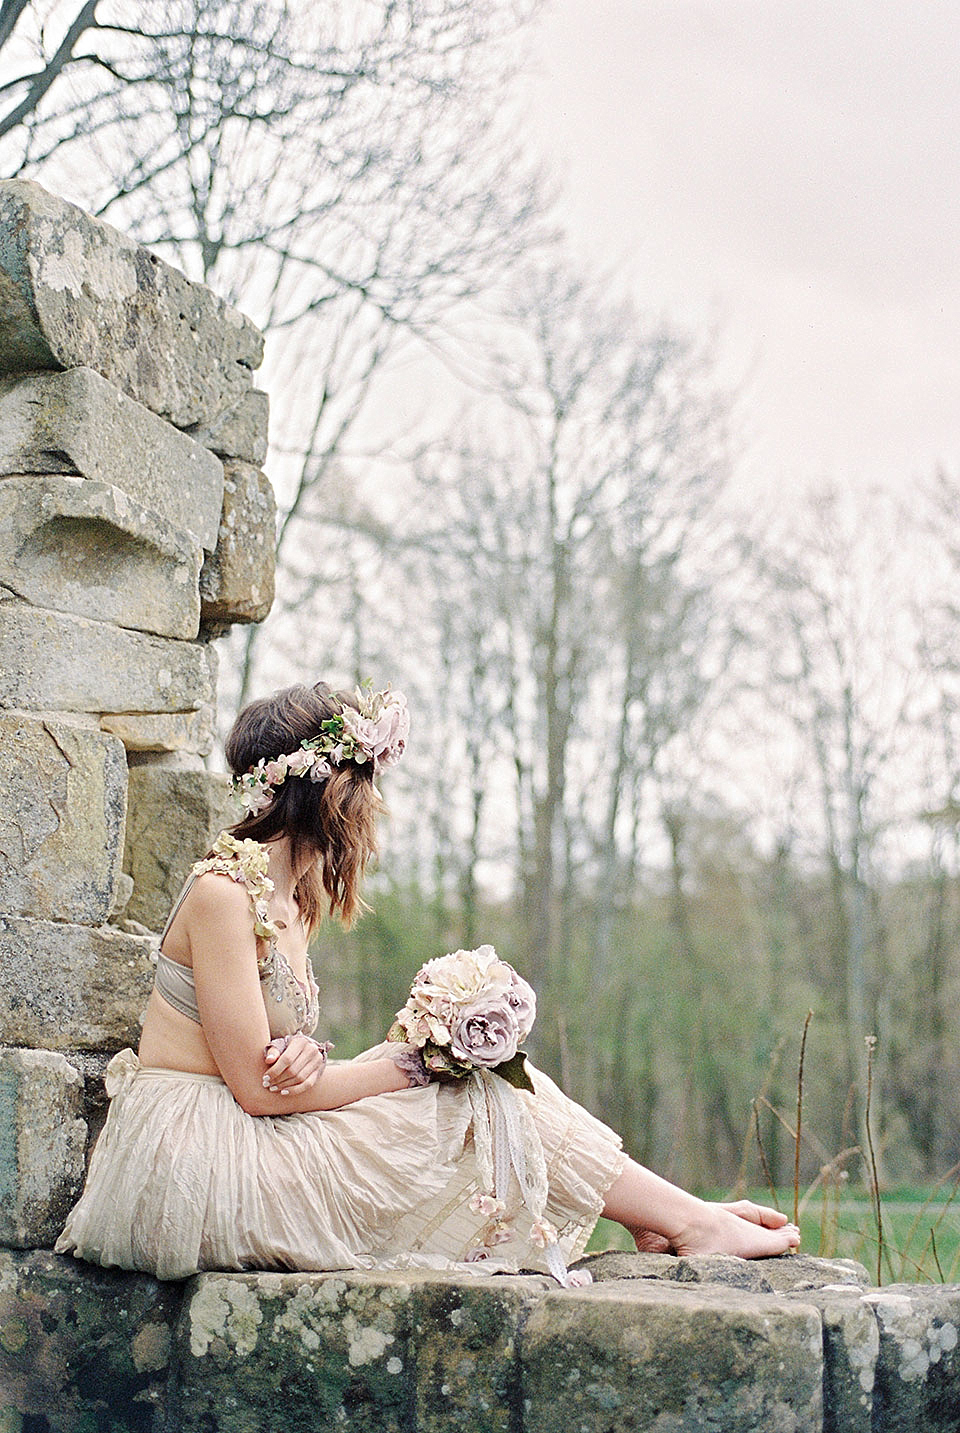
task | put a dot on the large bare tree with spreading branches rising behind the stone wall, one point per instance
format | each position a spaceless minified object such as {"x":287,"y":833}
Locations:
{"x":345,"y":171}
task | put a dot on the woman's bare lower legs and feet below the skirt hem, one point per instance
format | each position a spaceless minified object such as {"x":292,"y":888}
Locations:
{"x":663,"y":1217}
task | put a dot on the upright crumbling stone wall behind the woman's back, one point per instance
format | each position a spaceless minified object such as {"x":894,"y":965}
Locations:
{"x":135,"y":525}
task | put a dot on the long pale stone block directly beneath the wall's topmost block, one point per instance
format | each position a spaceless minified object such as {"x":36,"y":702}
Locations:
{"x":77,"y":422}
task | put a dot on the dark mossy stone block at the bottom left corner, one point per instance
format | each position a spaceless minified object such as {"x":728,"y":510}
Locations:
{"x":82,"y":1349}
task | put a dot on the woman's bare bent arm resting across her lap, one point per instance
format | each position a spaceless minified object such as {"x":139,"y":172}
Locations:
{"x":233,"y":1017}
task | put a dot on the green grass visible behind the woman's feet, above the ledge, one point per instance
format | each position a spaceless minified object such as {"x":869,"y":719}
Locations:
{"x":921,"y":1232}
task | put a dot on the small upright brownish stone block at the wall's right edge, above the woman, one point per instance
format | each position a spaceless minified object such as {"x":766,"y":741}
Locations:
{"x":237,"y":583}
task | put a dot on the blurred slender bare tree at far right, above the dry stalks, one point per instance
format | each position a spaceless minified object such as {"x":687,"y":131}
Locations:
{"x":833,"y":618}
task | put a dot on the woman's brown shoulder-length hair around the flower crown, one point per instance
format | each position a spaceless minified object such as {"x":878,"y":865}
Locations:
{"x":330,"y":823}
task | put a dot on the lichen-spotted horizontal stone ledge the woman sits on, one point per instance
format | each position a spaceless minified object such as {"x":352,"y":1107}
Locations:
{"x":654,"y":1345}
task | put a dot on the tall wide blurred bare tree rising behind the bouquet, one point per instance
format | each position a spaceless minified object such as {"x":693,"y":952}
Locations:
{"x":555,"y":600}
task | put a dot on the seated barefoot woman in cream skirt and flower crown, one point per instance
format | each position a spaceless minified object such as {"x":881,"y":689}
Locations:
{"x":233,"y":1144}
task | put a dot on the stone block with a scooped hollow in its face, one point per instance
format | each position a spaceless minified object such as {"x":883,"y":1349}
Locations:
{"x":90,"y":550}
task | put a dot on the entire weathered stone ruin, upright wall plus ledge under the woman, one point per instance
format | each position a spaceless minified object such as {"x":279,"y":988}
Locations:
{"x":137,"y":524}
